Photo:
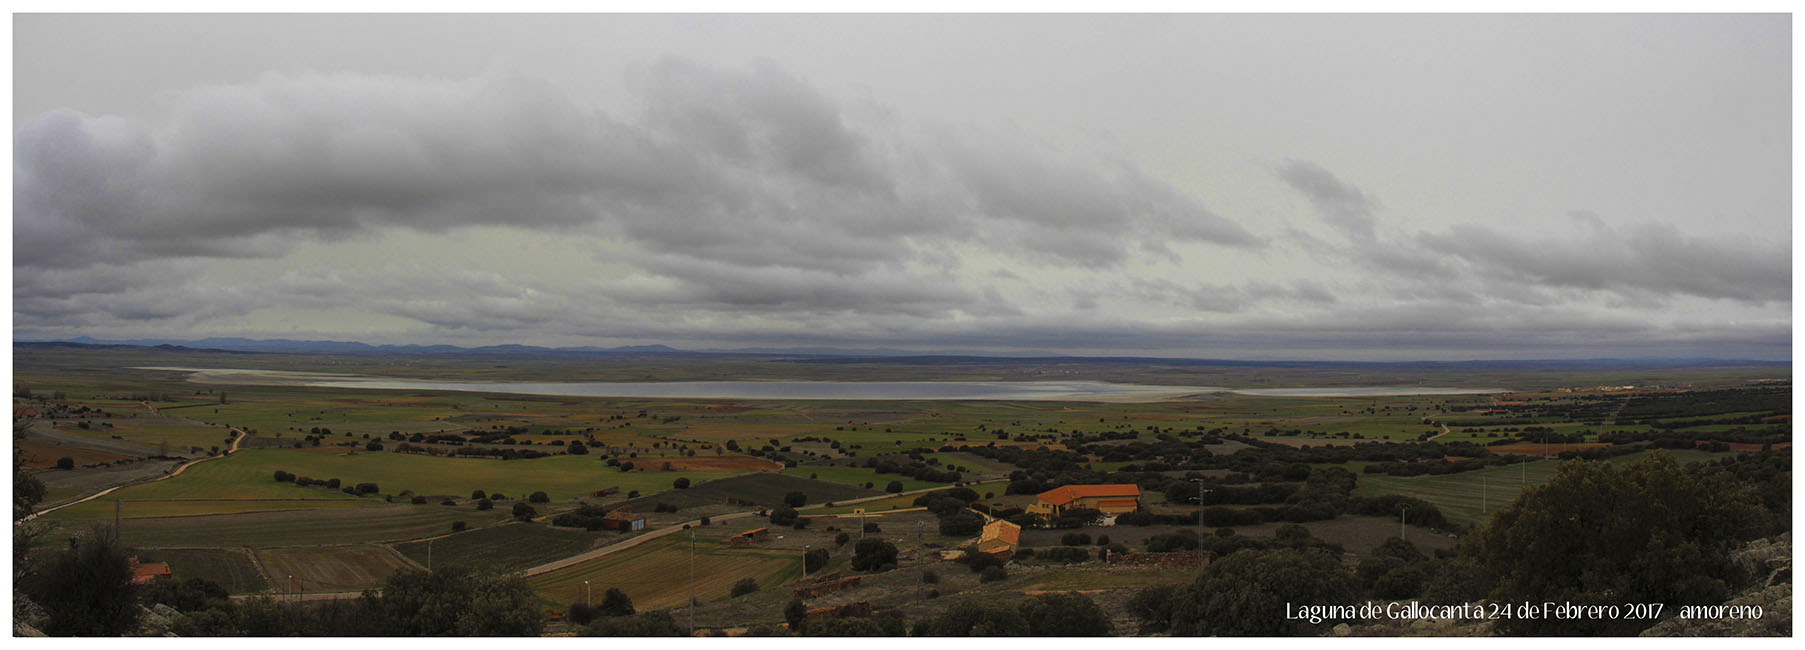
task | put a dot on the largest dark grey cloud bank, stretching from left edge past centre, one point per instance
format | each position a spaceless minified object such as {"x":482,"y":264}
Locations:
{"x":748,"y":167}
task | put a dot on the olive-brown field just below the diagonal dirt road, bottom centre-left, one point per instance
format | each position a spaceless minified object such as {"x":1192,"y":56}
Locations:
{"x":656,"y":575}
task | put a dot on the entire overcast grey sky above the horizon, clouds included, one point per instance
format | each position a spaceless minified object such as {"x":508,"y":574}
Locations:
{"x":1246,"y":187}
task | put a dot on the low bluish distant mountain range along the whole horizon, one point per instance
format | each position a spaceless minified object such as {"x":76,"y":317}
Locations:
{"x":819,"y":355}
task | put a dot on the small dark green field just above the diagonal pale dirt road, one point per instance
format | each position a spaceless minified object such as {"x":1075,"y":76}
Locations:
{"x":504,"y":548}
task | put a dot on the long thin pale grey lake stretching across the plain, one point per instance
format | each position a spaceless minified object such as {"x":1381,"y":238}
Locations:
{"x":1071,"y":391}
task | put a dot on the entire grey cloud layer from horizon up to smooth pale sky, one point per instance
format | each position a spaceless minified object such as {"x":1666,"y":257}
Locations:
{"x":745,"y":205}
